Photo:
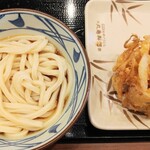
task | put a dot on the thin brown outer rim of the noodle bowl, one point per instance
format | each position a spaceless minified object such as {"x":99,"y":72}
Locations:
{"x":86,"y":59}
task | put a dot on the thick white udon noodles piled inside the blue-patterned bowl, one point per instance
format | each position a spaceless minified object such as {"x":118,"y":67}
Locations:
{"x":35,"y":83}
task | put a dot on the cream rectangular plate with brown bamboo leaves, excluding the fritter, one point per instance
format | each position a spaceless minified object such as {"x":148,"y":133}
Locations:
{"x":108,"y":24}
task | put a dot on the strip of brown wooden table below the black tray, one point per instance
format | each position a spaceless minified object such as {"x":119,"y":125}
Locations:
{"x":103,"y":146}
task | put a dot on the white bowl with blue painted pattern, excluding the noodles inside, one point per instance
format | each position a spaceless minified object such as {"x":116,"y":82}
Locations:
{"x":20,"y":21}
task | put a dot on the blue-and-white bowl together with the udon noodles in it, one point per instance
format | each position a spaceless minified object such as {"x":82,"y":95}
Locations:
{"x":44,"y":79}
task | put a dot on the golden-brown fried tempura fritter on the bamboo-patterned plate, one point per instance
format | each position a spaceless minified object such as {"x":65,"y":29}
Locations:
{"x":131,"y":78}
